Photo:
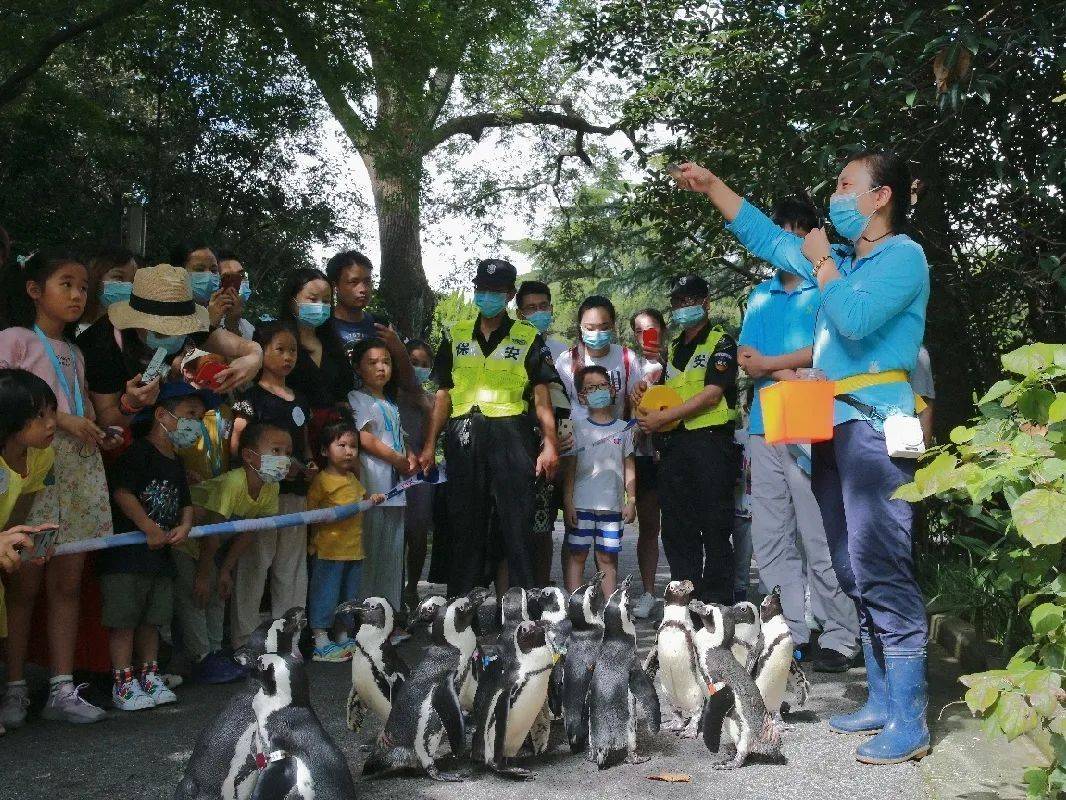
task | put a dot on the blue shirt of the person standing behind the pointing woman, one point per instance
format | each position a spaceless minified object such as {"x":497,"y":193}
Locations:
{"x":777,"y":323}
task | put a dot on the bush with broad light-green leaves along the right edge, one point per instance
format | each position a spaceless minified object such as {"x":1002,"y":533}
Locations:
{"x":1005,"y":475}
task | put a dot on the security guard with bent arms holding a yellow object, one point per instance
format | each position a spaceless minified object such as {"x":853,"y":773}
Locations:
{"x":699,"y":460}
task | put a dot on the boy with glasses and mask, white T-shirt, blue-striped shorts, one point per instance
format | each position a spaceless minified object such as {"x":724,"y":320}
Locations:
{"x":600,"y":483}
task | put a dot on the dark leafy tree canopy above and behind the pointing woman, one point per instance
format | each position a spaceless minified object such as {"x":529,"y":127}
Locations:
{"x":773,"y":98}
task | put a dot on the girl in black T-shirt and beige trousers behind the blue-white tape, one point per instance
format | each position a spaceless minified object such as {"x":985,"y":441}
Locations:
{"x":279,"y":555}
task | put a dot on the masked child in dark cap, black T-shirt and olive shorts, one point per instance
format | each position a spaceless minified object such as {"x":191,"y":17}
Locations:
{"x":150,"y":493}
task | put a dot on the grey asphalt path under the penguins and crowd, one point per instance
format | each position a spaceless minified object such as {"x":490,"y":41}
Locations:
{"x":143,"y":755}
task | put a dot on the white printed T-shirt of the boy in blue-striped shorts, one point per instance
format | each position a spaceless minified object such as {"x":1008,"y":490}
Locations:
{"x":600,"y":483}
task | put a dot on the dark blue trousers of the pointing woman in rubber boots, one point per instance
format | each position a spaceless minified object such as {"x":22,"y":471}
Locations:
{"x":869,"y":534}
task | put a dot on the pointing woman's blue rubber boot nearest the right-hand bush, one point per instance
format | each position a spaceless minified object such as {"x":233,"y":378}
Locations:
{"x":907,"y":734}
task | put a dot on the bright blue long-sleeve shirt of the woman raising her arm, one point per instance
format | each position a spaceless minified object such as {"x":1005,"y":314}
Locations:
{"x":873,"y":319}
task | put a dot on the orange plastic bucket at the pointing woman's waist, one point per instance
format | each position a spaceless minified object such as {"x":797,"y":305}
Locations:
{"x":798,"y":412}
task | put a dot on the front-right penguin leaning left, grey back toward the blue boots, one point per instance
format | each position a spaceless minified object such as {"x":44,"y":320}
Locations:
{"x":734,"y":706}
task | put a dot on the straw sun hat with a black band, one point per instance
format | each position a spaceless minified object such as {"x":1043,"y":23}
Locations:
{"x":161,"y":302}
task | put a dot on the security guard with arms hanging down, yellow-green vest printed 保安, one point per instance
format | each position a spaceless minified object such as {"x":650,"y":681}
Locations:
{"x":487,"y":369}
